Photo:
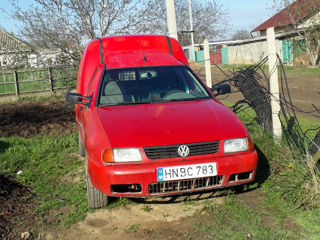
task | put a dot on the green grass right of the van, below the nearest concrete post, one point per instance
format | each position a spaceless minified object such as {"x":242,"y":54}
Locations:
{"x":289,"y":207}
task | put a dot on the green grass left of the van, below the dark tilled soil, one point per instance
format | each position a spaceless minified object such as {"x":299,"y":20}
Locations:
{"x":44,"y":161}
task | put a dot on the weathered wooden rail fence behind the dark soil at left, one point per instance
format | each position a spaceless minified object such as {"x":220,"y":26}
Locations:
{"x":41,"y":80}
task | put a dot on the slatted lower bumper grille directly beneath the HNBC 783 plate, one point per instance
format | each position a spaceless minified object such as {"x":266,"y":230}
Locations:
{"x":184,"y":185}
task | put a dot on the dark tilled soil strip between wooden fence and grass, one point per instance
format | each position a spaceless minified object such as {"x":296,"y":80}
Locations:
{"x":40,"y":117}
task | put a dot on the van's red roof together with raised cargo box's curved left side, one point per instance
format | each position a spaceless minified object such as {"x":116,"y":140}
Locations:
{"x":128,"y":51}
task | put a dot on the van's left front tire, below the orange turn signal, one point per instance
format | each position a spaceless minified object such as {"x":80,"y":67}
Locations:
{"x":96,"y":199}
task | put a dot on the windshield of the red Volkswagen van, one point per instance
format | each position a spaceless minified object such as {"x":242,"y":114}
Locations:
{"x":150,"y":85}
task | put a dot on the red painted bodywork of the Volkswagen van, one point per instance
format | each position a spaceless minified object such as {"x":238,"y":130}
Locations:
{"x":151,"y":124}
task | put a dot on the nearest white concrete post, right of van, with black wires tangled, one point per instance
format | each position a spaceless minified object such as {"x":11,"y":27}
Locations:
{"x":274,"y":85}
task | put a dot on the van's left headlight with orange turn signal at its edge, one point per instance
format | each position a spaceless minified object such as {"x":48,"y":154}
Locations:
{"x":121,"y":155}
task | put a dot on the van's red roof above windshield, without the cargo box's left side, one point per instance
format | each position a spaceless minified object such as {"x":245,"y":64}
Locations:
{"x":141,"y":50}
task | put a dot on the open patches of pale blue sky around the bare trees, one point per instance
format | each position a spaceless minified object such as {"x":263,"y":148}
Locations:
{"x":243,"y":14}
